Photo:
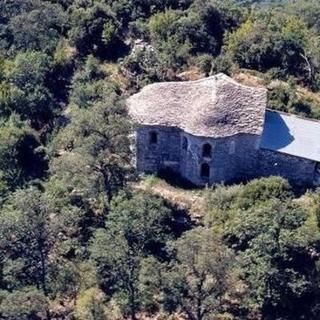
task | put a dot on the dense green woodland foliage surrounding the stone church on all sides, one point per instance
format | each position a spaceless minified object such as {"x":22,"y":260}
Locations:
{"x":77,"y":240}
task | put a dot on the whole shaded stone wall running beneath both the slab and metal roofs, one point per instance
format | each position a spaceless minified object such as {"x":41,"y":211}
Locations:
{"x":232,"y":159}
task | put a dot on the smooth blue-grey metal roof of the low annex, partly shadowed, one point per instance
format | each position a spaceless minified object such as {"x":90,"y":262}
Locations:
{"x":291,"y":135}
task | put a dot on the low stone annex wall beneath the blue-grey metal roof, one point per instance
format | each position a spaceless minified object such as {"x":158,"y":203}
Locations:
{"x":297,"y":170}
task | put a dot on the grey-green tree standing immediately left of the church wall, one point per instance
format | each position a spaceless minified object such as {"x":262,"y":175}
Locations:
{"x":94,"y":149}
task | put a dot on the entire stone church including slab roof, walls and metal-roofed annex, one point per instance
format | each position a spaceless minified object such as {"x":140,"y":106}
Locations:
{"x":216,"y":130}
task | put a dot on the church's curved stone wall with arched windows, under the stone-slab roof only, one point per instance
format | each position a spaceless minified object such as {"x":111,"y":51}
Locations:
{"x":232,"y":158}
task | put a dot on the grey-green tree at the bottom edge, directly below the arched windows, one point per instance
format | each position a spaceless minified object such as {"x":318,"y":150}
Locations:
{"x":202,"y":279}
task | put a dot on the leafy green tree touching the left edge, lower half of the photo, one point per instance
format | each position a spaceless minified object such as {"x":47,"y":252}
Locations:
{"x":27,"y":235}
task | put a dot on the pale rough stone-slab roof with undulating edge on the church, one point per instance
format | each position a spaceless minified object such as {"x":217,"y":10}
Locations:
{"x":216,"y":106}
